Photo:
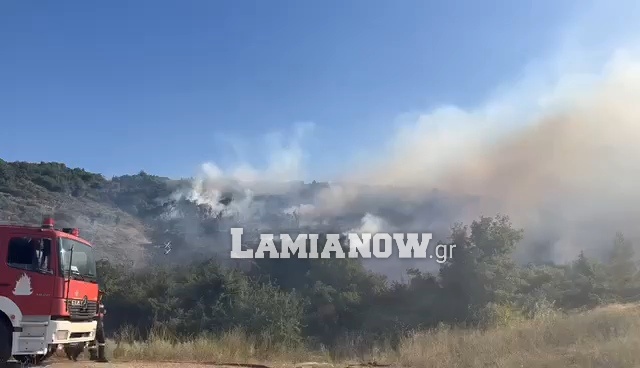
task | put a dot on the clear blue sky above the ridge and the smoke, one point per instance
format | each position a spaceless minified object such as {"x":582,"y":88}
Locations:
{"x":121,"y":86}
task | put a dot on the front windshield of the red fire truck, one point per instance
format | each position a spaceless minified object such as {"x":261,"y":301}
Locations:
{"x":83,"y":262}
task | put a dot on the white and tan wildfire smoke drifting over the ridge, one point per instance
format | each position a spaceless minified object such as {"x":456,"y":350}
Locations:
{"x":556,"y":151}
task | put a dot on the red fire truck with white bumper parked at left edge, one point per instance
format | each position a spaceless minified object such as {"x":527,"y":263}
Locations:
{"x":48,"y":290}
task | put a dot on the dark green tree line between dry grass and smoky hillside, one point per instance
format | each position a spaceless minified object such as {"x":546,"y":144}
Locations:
{"x":323,"y":301}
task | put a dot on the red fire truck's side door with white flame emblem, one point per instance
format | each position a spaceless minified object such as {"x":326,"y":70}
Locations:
{"x":28,"y":272}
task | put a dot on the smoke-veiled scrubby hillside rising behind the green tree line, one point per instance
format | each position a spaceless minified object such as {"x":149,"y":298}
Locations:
{"x":130,"y":217}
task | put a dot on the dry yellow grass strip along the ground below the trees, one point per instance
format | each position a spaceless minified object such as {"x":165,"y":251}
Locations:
{"x":607,"y":337}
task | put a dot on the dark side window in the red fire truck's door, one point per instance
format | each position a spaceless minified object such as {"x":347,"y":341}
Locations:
{"x":32,"y":254}
